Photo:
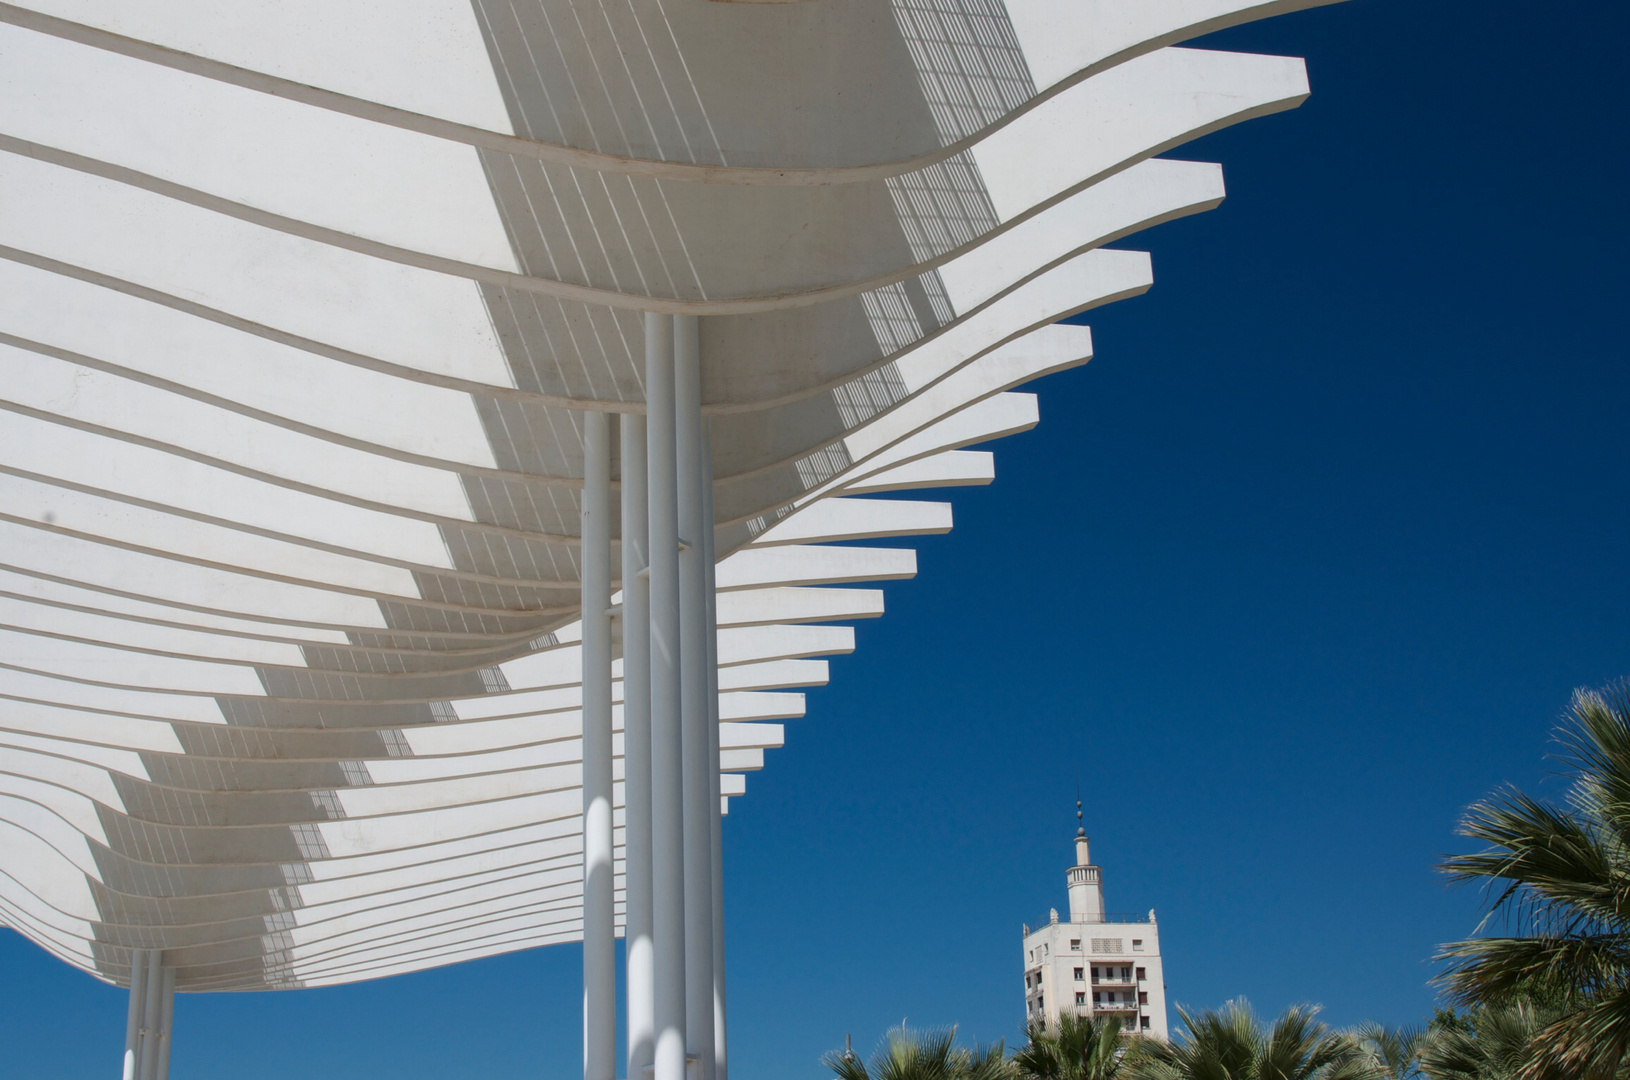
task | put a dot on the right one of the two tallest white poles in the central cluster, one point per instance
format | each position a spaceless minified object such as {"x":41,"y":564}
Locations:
{"x":694,"y":700}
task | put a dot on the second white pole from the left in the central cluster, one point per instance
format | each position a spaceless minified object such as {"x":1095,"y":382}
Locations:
{"x":637,"y":750}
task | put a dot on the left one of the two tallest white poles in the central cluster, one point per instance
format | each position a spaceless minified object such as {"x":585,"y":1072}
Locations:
{"x":667,"y":836}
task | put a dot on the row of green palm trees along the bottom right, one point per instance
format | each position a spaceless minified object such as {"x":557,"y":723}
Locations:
{"x":1546,"y":1001}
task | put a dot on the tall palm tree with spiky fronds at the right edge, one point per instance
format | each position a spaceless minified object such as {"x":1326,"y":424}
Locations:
{"x":1562,"y":877}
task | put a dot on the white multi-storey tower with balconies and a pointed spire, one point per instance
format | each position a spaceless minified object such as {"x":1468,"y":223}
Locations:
{"x":1095,"y":964}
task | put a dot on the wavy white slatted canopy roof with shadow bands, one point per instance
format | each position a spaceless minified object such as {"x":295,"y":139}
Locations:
{"x":302,"y":309}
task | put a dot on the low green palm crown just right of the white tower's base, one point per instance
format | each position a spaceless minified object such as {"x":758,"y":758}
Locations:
{"x":1233,"y":1045}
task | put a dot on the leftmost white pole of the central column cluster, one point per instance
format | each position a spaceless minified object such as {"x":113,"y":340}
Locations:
{"x":599,"y":887}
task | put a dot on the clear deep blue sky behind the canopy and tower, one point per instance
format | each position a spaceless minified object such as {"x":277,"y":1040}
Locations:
{"x":1311,"y":556}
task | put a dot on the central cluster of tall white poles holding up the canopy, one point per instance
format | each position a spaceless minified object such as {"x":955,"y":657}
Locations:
{"x":671,"y":731}
